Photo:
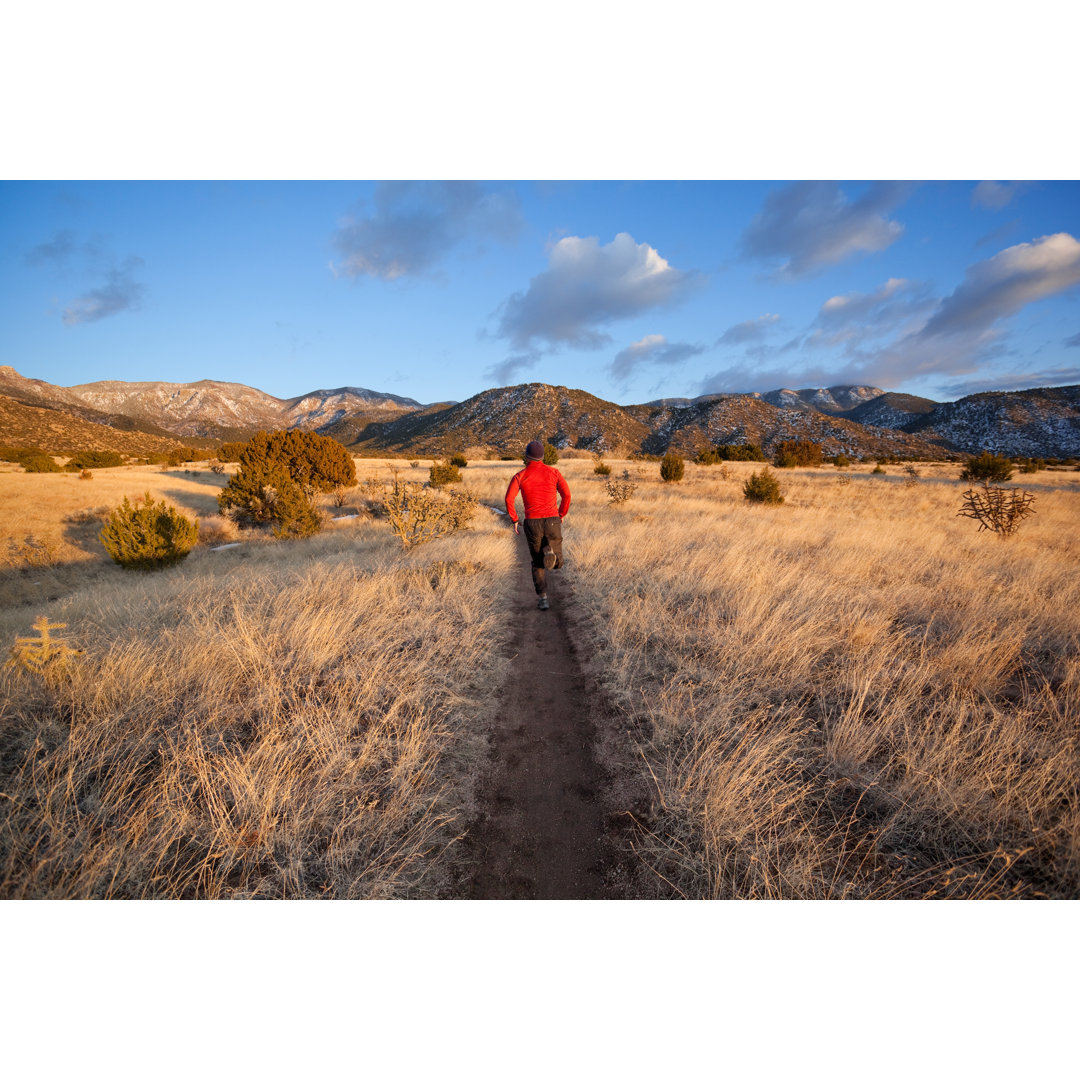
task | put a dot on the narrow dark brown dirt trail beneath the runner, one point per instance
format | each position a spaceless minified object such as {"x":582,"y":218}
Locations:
{"x":541,"y":833}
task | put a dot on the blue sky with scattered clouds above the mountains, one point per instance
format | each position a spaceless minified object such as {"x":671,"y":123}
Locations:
{"x":630,"y":291}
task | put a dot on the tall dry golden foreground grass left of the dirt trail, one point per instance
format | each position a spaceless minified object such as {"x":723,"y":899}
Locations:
{"x":280,"y":720}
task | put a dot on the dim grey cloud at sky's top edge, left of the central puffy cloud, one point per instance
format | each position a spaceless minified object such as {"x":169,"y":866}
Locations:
{"x":416,"y":224}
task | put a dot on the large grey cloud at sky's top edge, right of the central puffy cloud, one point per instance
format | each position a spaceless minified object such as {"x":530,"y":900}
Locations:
{"x":813,"y":224}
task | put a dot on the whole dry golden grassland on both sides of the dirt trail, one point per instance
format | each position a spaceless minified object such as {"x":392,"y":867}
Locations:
{"x":855,"y":694}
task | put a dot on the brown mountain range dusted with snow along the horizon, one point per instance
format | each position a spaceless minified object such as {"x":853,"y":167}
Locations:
{"x":856,"y":421}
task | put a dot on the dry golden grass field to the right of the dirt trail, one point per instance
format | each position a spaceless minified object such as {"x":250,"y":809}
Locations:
{"x":853,"y":695}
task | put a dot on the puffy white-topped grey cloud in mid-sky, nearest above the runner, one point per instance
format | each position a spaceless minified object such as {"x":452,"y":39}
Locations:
{"x":586,"y":287}
